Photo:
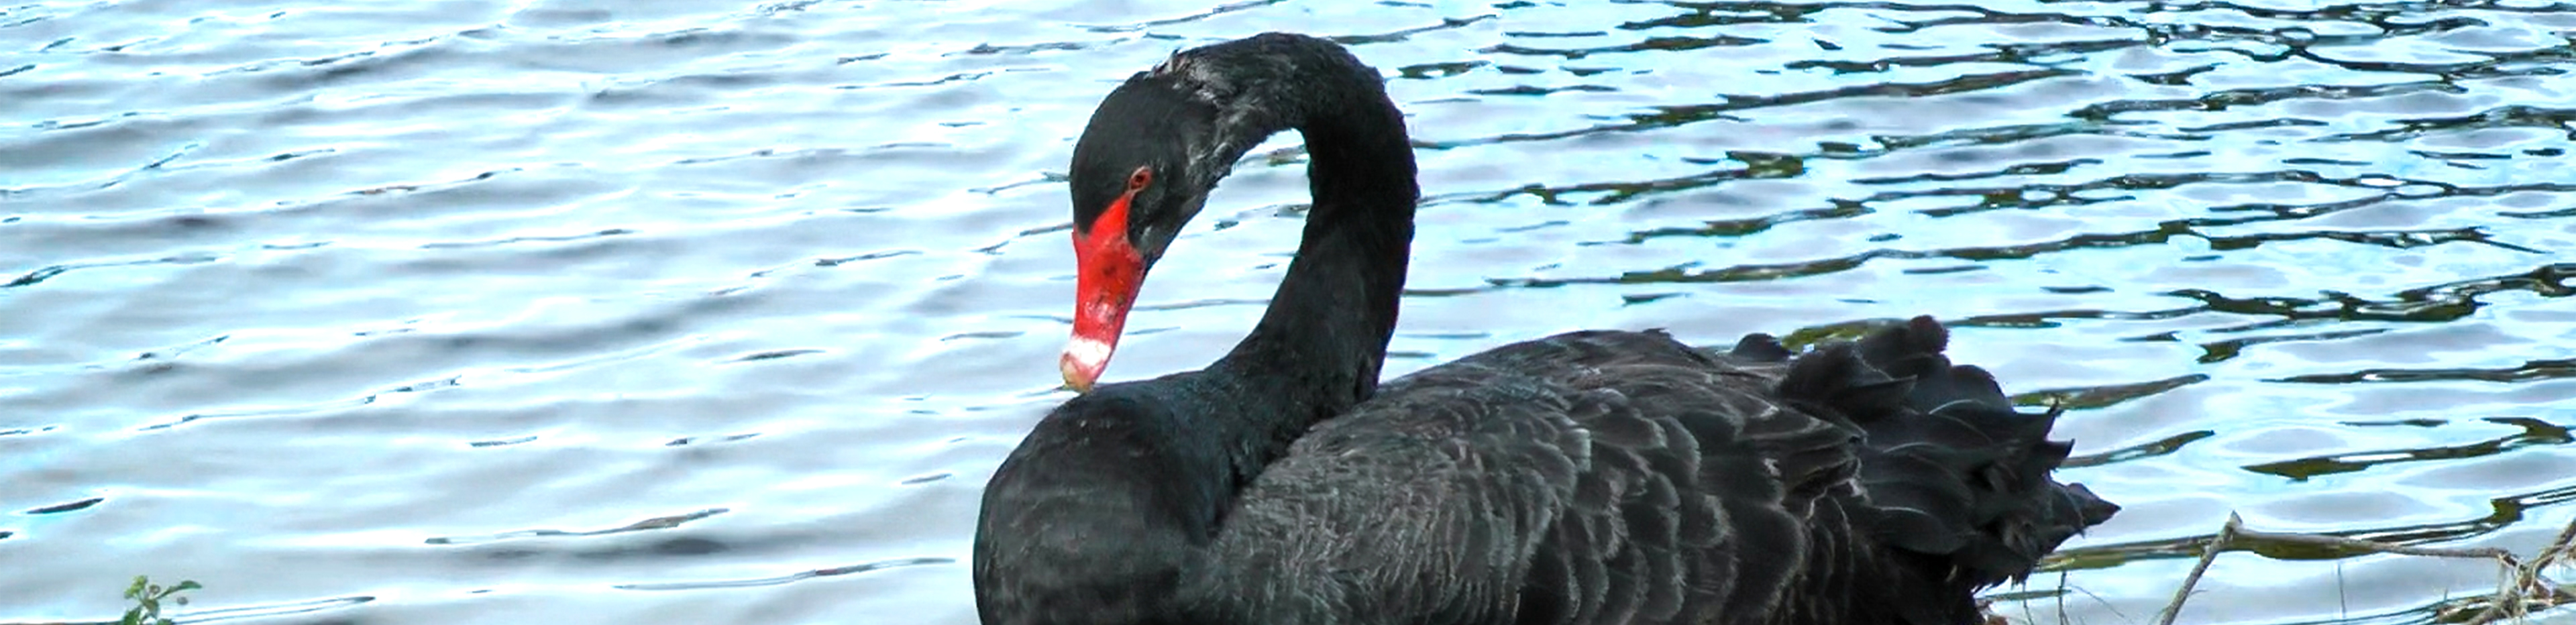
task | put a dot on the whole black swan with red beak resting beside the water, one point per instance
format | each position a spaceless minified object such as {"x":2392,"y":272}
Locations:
{"x":1591,"y":477}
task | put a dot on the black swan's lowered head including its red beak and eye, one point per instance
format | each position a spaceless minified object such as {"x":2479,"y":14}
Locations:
{"x":1142,"y":171}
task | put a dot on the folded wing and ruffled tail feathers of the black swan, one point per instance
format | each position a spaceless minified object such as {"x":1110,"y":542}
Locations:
{"x":1622,"y":477}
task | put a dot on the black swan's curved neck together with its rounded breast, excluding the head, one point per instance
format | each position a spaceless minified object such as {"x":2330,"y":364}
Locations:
{"x":1101,"y":513}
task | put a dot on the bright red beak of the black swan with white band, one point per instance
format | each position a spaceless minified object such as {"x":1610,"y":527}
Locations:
{"x":1106,"y":289}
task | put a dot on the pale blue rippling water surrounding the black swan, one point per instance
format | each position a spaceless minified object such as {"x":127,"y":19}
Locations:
{"x":723,"y":312}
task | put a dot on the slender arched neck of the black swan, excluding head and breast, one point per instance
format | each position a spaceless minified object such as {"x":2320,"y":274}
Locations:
{"x":1331,"y":320}
